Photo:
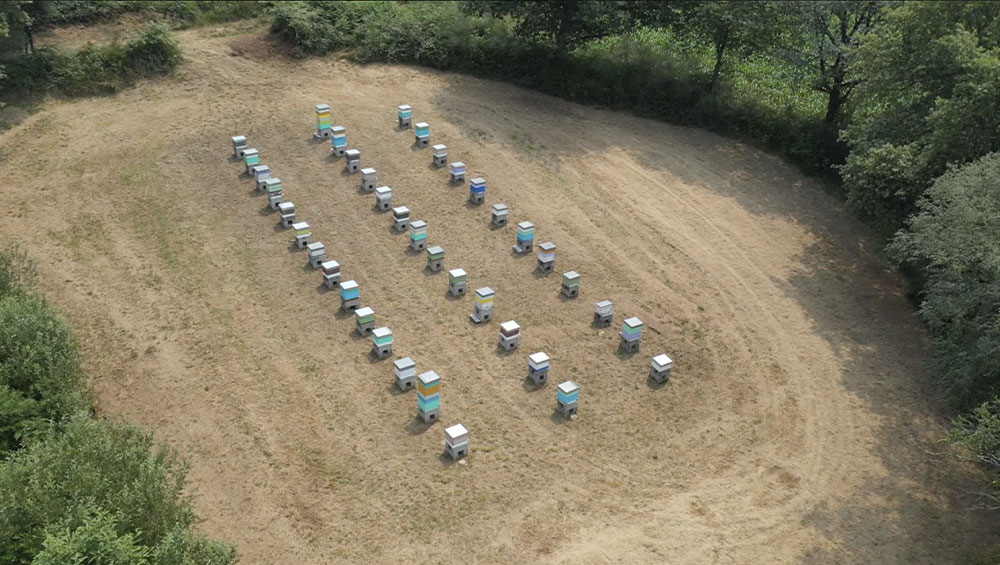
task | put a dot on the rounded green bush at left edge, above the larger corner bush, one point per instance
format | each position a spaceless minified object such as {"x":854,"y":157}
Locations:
{"x":40,"y":379}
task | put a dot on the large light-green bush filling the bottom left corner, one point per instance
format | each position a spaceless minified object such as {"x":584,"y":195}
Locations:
{"x":99,"y":492}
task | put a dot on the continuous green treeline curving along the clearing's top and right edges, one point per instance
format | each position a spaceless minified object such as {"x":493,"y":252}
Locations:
{"x":898,"y":100}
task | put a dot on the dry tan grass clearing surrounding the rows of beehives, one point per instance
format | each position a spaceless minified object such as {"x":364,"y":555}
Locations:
{"x":798,"y":427}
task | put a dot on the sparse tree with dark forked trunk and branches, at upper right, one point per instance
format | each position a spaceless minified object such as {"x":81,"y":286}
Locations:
{"x":835,"y":29}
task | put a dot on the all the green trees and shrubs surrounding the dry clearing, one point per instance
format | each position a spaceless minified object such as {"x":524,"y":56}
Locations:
{"x":895,"y":103}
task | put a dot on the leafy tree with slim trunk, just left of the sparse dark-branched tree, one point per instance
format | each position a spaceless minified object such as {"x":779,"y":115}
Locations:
{"x":733,"y":27}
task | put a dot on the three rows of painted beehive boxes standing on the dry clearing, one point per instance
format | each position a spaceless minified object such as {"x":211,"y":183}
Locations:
{"x":428,"y":383}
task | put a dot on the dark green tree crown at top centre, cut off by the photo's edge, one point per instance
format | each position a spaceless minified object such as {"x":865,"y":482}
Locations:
{"x":566,"y":24}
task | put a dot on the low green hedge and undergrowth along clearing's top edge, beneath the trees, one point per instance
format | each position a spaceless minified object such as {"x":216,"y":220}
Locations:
{"x":656,"y":73}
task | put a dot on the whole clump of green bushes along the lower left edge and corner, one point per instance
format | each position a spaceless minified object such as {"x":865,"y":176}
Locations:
{"x":74,"y":489}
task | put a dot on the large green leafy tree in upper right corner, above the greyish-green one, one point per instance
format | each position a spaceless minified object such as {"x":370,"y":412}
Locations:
{"x":931,"y":98}
